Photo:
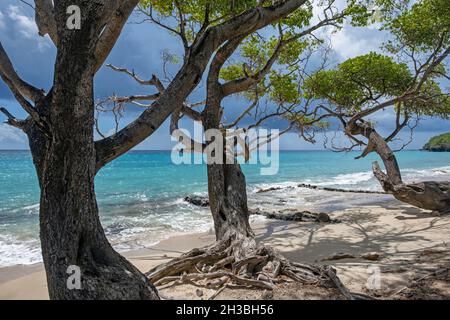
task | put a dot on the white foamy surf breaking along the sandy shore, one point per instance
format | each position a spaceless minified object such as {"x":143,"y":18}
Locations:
{"x":148,"y":221}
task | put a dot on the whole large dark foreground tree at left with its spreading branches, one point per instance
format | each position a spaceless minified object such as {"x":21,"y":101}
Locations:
{"x":60,"y":128}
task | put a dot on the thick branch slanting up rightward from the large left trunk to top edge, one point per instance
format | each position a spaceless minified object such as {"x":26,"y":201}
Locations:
{"x":189,"y":76}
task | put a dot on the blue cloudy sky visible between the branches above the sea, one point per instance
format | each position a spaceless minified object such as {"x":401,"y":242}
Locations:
{"x":140,"y":47}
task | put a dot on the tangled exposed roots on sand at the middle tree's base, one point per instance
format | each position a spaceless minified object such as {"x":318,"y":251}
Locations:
{"x":217,"y":267}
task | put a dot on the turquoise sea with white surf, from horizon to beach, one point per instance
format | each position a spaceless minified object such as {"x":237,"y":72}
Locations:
{"x":141,"y":194}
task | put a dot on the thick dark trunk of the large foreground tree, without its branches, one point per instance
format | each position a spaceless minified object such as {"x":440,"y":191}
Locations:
{"x":65,"y":159}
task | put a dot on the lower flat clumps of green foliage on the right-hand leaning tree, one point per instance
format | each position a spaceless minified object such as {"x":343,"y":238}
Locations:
{"x":361,"y":83}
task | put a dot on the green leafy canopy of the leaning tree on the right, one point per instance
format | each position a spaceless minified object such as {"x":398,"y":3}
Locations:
{"x":409,"y":76}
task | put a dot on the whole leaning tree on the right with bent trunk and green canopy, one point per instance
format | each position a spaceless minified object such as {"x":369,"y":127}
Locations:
{"x":412,"y":87}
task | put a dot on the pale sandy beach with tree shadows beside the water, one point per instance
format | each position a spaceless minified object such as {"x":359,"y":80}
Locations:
{"x":400,"y":242}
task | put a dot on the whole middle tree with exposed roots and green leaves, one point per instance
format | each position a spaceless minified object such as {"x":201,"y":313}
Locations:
{"x":263,"y":71}
